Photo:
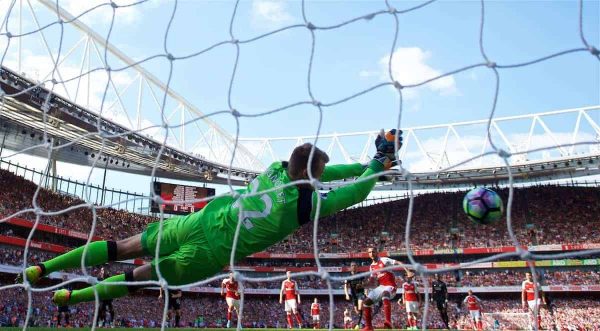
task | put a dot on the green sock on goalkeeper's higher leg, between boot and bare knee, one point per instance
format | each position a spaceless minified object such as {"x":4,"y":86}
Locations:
{"x":98,"y":252}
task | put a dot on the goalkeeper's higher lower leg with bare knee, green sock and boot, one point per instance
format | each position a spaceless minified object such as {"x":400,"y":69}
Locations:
{"x":98,"y":252}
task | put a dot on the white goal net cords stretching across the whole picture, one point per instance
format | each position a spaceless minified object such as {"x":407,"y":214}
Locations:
{"x":55,"y":80}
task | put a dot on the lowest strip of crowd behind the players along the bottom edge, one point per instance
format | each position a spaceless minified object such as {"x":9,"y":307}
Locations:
{"x":145,"y":310}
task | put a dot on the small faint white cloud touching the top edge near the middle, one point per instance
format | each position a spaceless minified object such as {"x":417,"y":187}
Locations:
{"x":270,"y":14}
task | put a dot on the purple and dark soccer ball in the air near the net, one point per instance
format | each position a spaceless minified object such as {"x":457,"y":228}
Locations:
{"x":483,"y":206}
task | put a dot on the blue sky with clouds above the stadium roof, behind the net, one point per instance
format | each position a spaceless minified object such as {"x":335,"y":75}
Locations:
{"x":272,"y":72}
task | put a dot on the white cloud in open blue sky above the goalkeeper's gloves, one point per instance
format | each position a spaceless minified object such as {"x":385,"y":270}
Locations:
{"x":409,"y":66}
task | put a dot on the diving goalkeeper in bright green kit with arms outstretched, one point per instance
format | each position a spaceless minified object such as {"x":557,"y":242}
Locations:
{"x":198,"y":246}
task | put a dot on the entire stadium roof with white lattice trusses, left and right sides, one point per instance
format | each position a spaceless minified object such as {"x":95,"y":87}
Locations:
{"x":434,"y":154}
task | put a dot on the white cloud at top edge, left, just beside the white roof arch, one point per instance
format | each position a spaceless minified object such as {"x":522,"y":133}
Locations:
{"x":103,"y":14}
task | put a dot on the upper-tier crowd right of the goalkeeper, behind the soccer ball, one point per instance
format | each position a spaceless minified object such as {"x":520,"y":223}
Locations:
{"x":540,"y":215}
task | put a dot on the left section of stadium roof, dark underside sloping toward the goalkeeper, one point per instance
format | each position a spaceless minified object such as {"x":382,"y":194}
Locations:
{"x":33,"y":111}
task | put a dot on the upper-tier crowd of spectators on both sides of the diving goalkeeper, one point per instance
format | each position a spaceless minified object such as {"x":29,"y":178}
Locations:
{"x":540,"y":215}
